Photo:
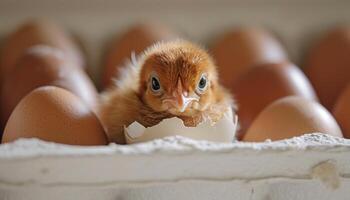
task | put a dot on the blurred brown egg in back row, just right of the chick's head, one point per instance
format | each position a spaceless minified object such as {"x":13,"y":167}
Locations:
{"x":240,"y":50}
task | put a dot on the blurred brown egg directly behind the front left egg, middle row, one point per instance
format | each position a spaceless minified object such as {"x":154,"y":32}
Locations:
{"x":40,"y":66}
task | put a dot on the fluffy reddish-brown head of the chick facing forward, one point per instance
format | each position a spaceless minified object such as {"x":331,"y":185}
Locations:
{"x":177,"y":77}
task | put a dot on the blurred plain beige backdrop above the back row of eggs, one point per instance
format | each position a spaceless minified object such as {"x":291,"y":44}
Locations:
{"x":296,"y":23}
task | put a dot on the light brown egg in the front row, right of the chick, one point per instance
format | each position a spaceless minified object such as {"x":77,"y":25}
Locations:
{"x":289,"y":117}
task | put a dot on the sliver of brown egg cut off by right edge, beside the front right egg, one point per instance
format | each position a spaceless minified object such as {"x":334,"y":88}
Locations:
{"x":341,"y":111}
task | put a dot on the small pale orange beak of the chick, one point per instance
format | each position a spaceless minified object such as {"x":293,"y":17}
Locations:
{"x":179,"y":99}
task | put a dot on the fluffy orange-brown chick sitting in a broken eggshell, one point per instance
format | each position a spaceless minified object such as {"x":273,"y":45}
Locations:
{"x":175,"y":78}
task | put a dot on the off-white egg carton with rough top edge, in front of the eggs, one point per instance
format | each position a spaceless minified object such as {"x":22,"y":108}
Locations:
{"x":313,"y":166}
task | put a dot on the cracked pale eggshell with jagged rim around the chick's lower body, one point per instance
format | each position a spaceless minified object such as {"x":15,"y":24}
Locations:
{"x":222,"y":131}
